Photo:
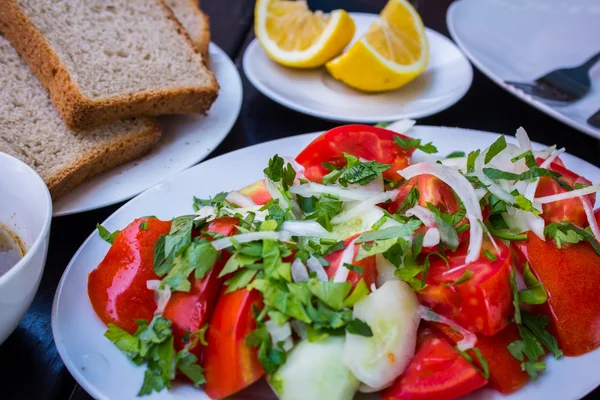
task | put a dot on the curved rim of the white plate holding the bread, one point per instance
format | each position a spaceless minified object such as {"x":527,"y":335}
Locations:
{"x":226,"y":130}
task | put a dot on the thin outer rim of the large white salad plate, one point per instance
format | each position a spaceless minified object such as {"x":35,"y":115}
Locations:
{"x":57,"y":335}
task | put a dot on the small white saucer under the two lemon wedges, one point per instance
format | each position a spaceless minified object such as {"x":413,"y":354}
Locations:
{"x":314,"y":92}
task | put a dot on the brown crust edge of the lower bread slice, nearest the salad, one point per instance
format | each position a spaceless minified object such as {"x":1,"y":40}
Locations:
{"x":103,"y":159}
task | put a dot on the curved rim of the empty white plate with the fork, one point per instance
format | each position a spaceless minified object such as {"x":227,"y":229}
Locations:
{"x":530,"y":100}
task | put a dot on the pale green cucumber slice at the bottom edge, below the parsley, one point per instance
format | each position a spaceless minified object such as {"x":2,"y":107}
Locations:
{"x":315,"y":371}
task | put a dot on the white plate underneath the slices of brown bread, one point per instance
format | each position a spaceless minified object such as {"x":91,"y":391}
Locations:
{"x":186,"y":140}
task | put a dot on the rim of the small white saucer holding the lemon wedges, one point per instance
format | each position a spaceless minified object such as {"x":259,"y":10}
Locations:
{"x":316,"y":113}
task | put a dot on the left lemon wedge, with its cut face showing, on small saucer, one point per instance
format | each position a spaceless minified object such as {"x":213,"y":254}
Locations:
{"x":294,"y":36}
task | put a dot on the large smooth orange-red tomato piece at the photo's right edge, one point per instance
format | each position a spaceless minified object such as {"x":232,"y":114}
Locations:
{"x":571,"y":276}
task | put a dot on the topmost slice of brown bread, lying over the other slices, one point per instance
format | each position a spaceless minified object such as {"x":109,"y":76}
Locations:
{"x":105,"y":60}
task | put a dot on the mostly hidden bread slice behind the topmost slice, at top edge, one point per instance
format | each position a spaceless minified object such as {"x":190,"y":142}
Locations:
{"x":194,"y":21}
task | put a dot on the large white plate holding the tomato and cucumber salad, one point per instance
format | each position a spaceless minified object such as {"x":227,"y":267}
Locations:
{"x":104,"y":372}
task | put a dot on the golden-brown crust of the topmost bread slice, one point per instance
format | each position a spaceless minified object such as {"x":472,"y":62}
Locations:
{"x":78,"y":111}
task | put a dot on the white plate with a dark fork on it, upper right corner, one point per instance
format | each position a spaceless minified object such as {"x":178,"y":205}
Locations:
{"x":516,"y":40}
